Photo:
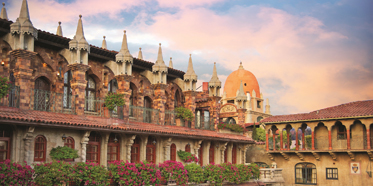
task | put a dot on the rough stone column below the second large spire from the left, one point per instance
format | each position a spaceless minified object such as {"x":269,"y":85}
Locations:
{"x":78,"y":85}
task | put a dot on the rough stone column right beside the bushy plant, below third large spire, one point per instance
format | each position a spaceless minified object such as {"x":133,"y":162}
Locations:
{"x":124,"y":88}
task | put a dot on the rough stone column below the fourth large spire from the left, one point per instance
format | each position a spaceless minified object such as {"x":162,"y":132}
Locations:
{"x":160,"y":101}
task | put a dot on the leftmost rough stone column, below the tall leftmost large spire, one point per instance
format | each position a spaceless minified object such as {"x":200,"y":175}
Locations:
{"x":23,"y":75}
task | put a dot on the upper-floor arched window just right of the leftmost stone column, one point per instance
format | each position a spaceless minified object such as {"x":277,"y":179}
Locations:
{"x":41,"y":94}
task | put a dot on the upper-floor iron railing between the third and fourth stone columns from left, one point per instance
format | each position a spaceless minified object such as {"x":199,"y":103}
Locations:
{"x":142,"y":114}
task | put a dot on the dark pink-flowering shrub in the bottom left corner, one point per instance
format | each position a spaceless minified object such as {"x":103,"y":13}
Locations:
{"x":15,"y":174}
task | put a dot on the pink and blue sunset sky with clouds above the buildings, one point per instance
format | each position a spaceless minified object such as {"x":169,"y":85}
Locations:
{"x":306,"y":54}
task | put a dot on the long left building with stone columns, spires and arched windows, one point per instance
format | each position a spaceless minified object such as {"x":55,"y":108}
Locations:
{"x":56,"y":99}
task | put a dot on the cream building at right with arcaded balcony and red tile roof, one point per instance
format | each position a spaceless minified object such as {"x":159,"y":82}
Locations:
{"x":330,"y":146}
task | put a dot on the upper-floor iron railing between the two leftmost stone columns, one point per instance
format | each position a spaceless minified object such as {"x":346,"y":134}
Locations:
{"x":44,"y":100}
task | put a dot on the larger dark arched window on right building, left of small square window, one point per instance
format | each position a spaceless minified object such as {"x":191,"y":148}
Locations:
{"x":305,"y":173}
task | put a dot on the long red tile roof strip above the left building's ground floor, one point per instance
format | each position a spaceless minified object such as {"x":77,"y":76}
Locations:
{"x":8,"y":114}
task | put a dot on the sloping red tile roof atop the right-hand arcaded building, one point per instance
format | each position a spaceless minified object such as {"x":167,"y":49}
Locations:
{"x":347,"y":110}
